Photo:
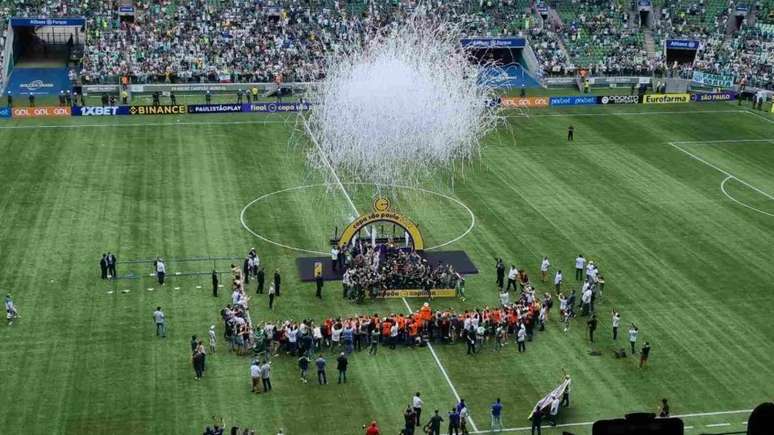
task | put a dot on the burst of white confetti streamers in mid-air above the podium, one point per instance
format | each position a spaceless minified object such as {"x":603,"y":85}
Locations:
{"x":399,"y":107}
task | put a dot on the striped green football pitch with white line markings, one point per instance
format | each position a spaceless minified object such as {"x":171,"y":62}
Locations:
{"x":675,"y":202}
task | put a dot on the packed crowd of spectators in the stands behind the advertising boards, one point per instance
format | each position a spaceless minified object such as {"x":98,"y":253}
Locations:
{"x":254,"y":40}
